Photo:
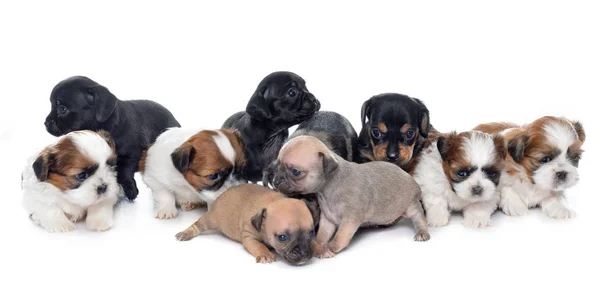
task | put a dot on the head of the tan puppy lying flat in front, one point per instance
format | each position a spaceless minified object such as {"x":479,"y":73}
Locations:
{"x":287,"y":226}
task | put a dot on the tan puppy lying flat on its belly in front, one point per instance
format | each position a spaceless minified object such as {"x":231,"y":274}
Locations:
{"x":259,"y":217}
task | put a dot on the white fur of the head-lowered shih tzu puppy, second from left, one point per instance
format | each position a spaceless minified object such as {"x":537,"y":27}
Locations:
{"x":168,"y":185}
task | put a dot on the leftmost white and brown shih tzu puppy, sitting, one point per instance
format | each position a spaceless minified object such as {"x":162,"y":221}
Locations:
{"x":72,"y":180}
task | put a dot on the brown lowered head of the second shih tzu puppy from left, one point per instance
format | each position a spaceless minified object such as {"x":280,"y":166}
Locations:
{"x":210,"y":159}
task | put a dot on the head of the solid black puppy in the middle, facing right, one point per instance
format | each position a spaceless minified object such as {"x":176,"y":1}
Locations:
{"x":282,"y":99}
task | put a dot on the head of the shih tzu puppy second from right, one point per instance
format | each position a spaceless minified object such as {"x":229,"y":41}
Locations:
{"x":472,"y":162}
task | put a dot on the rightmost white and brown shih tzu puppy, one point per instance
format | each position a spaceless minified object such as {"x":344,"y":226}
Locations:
{"x":543,"y":163}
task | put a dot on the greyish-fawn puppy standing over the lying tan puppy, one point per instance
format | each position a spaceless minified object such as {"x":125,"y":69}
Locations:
{"x":350,"y":195}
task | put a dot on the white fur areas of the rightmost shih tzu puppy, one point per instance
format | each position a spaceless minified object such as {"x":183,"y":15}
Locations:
{"x":518,"y":193}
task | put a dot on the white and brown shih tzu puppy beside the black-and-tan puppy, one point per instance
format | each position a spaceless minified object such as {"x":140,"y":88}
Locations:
{"x":460,"y":172}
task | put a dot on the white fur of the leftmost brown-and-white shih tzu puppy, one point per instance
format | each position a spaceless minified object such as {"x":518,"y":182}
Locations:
{"x":55,"y":210}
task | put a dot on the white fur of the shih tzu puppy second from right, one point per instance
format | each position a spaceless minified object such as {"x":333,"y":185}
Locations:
{"x":437,"y":195}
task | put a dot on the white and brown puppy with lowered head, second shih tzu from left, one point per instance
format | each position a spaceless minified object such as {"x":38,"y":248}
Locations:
{"x":190,"y":168}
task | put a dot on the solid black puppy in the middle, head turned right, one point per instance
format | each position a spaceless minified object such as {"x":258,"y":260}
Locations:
{"x":280,"y":101}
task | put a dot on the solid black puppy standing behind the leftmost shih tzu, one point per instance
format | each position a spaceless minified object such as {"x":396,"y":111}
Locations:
{"x":79,"y":103}
